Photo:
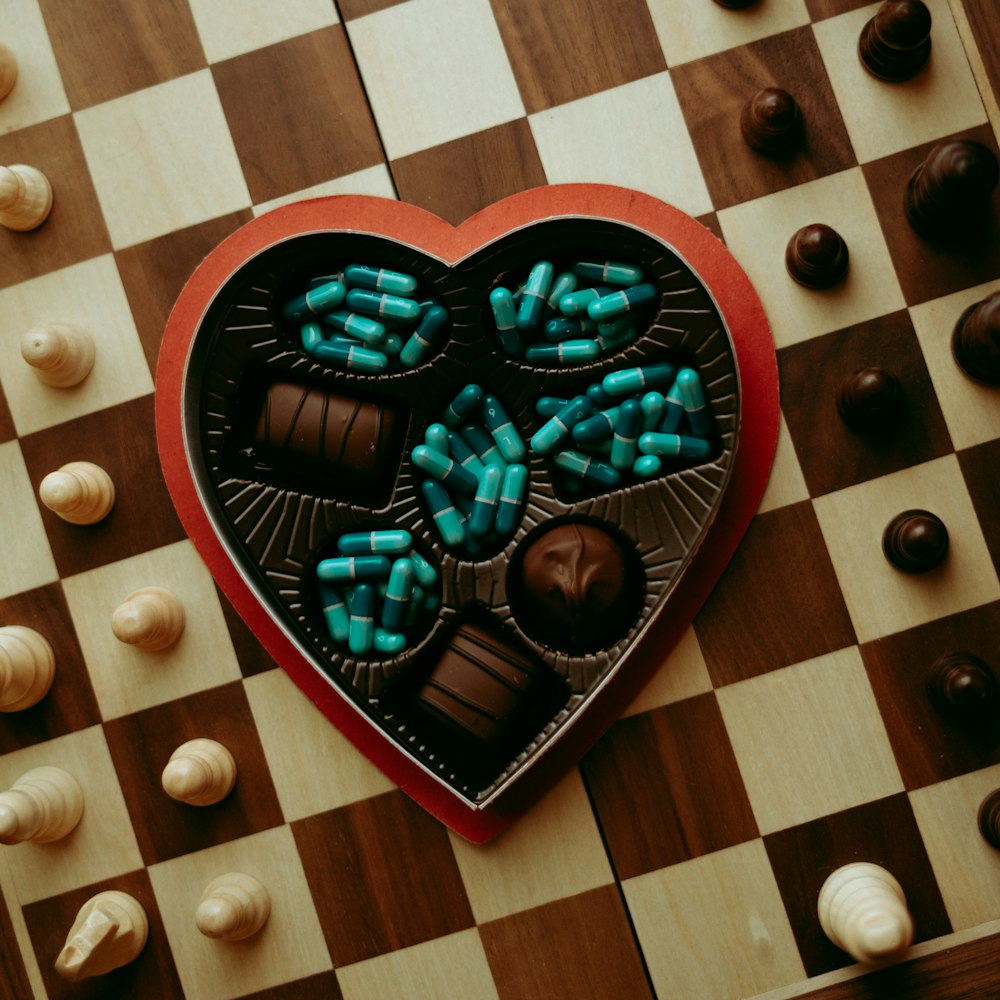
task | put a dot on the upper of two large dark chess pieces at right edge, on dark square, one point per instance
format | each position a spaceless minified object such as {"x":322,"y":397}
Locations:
{"x":949,"y":193}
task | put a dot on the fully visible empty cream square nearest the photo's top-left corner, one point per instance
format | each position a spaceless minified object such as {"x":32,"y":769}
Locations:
{"x":162,"y":159}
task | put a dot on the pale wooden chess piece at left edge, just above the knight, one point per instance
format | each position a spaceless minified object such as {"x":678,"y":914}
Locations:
{"x":45,"y":804}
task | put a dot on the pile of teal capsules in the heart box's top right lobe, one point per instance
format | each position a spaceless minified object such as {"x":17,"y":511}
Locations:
{"x":574,"y":316}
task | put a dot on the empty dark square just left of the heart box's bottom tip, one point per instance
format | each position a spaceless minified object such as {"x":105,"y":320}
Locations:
{"x":383,"y":877}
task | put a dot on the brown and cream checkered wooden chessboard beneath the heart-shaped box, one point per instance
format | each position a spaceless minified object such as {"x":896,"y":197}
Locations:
{"x":788,"y":733}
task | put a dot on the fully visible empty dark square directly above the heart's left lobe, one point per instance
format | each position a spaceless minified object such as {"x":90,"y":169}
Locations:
{"x":317,"y":125}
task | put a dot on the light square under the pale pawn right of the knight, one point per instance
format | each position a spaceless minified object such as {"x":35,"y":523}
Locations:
{"x":289,"y":946}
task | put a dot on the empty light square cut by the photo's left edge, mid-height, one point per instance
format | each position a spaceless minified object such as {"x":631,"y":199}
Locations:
{"x":27,"y":559}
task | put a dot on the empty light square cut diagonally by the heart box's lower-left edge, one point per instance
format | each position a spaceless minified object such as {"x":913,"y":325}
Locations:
{"x":320,"y":769}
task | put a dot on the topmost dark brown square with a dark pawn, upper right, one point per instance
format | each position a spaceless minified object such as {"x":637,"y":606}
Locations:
{"x":712,"y":92}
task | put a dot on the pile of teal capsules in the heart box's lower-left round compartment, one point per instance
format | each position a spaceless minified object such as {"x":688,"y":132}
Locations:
{"x":375,"y":590}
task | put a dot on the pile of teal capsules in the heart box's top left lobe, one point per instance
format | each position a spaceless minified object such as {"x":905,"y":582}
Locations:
{"x":367,"y":319}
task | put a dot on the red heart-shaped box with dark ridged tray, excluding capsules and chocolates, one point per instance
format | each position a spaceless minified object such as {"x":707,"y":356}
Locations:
{"x":263,"y":523}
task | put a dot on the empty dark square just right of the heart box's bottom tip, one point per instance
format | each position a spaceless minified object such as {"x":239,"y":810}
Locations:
{"x":666,"y":787}
